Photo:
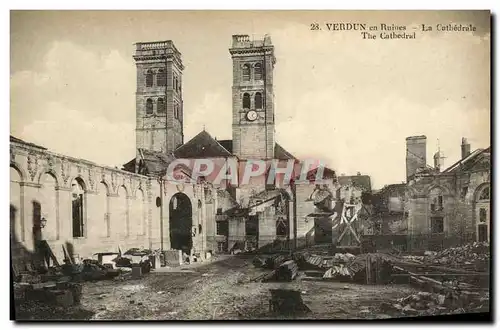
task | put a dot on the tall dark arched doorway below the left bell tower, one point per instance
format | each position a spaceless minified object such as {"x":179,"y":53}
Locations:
{"x":181,"y":222}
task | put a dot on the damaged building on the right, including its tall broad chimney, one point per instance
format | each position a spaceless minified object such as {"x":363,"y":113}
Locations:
{"x":438,"y":206}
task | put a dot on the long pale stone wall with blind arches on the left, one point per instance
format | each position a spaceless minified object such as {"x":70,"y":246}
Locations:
{"x":117,"y":205}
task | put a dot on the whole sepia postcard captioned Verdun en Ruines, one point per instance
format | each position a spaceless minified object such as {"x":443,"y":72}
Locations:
{"x":248,"y":165}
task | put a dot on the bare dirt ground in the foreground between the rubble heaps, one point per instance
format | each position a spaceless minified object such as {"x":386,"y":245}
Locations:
{"x":221,"y":289}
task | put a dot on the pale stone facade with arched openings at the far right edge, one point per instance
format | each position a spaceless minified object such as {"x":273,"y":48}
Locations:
{"x":452,"y":205}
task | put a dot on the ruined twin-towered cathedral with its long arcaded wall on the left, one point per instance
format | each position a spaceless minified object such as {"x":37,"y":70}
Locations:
{"x":93,"y":208}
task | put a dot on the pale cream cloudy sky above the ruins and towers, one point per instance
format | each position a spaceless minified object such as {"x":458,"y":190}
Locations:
{"x":348,"y":101}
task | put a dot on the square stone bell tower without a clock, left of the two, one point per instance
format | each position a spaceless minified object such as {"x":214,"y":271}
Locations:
{"x":159,"y":105}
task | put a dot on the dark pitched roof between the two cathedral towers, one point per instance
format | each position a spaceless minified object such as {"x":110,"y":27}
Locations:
{"x":202,"y":145}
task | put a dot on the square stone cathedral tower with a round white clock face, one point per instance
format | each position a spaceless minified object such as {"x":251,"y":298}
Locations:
{"x":253,"y":97}
